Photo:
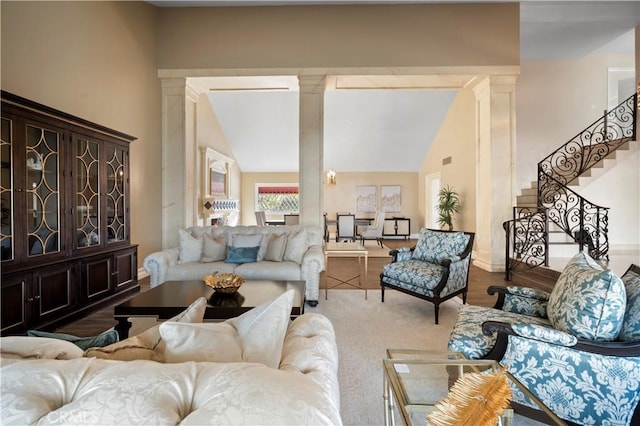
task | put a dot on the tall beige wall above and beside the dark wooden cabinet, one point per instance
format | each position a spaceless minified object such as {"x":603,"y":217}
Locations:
{"x":96,"y":60}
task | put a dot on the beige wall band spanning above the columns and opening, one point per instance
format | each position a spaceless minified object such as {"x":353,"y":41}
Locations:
{"x":339,"y":36}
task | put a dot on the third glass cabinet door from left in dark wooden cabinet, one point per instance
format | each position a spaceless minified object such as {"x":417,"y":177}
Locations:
{"x":87,"y":193}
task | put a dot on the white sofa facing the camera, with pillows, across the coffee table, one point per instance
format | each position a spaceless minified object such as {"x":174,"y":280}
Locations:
{"x":302,"y":257}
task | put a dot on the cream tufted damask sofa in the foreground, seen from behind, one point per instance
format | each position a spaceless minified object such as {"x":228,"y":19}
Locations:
{"x":90,"y":391}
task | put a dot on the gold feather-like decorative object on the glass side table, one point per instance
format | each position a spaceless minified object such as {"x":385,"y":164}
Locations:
{"x":476,"y":399}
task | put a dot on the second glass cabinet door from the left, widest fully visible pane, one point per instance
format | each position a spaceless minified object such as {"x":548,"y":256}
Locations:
{"x":42,"y":190}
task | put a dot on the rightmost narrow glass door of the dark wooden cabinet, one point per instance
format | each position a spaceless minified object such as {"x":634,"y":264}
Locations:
{"x":117,"y":226}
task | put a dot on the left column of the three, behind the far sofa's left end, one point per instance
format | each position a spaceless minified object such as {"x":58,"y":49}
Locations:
{"x":179,"y":180}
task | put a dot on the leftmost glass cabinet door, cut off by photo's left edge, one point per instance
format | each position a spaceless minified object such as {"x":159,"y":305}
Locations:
{"x":6,"y":190}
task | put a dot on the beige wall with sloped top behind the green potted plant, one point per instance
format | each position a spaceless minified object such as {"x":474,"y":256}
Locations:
{"x":456,"y":139}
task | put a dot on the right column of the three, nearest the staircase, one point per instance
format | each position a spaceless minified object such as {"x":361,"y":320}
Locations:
{"x":495,"y":168}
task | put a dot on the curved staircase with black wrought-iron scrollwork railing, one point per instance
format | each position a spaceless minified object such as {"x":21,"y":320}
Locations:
{"x":551,"y":213}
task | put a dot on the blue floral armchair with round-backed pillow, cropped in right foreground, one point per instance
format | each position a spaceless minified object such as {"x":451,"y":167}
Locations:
{"x":577,"y":349}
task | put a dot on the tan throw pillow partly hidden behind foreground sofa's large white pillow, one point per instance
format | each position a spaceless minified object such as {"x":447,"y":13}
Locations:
{"x":148,"y":344}
